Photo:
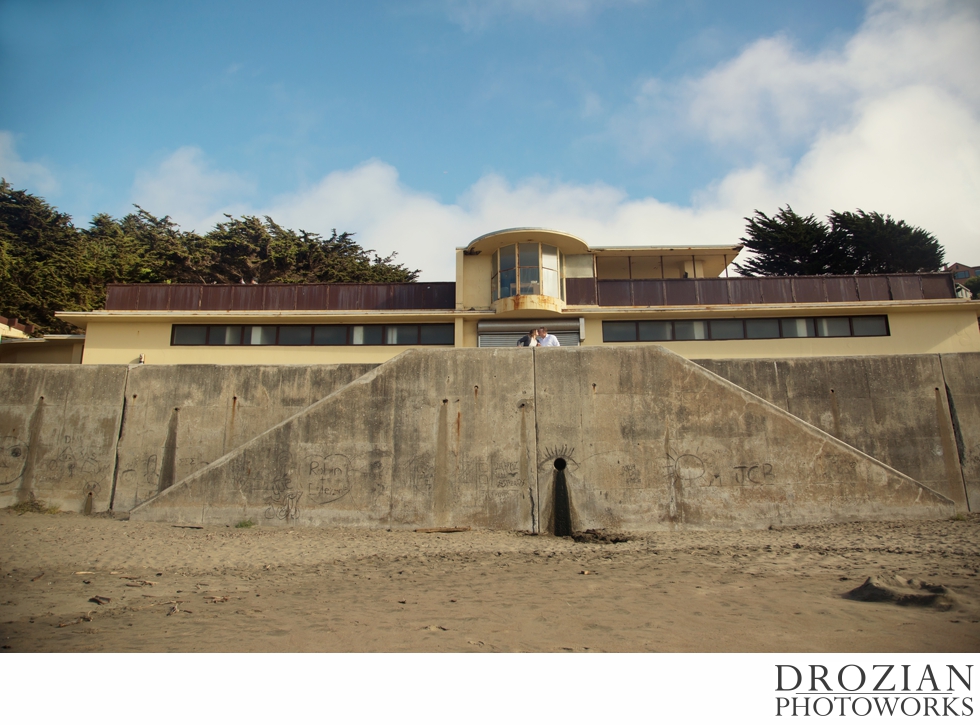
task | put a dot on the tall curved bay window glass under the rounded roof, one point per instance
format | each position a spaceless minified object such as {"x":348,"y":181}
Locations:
{"x":527,"y":268}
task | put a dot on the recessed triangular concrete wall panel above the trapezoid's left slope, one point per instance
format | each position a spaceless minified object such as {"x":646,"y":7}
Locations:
{"x":181,"y":418}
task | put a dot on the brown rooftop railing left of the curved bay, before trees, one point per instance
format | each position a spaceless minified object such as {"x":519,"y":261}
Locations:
{"x":260,"y":297}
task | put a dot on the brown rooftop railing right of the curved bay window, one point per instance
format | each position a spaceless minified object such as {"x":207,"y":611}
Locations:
{"x":758,"y":290}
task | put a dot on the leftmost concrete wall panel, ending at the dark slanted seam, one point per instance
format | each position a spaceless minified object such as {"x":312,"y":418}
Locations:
{"x":58,"y":431}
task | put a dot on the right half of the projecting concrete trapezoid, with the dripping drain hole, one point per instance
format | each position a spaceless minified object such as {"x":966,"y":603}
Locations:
{"x":651,"y":441}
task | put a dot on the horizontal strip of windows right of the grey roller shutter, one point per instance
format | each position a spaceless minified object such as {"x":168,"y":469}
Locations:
{"x":744,"y":329}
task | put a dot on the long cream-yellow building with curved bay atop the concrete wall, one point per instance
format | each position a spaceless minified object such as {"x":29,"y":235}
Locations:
{"x":512,"y":280}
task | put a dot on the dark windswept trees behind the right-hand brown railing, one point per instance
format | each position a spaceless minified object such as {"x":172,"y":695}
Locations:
{"x":847,"y":243}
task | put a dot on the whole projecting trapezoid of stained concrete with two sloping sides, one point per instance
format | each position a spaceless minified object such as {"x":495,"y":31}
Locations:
{"x":638,"y":438}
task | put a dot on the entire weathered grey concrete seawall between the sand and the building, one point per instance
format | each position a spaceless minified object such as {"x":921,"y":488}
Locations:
{"x":471,"y":438}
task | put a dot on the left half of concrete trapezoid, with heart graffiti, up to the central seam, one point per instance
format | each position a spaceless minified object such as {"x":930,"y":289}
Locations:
{"x":432,"y":438}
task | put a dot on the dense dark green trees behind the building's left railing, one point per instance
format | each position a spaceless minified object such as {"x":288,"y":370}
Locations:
{"x":48,"y":264}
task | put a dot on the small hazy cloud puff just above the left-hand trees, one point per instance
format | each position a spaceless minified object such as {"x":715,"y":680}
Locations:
{"x":184,"y":187}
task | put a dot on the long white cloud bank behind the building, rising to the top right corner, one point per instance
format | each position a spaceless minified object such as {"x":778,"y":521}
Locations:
{"x":888,"y":123}
